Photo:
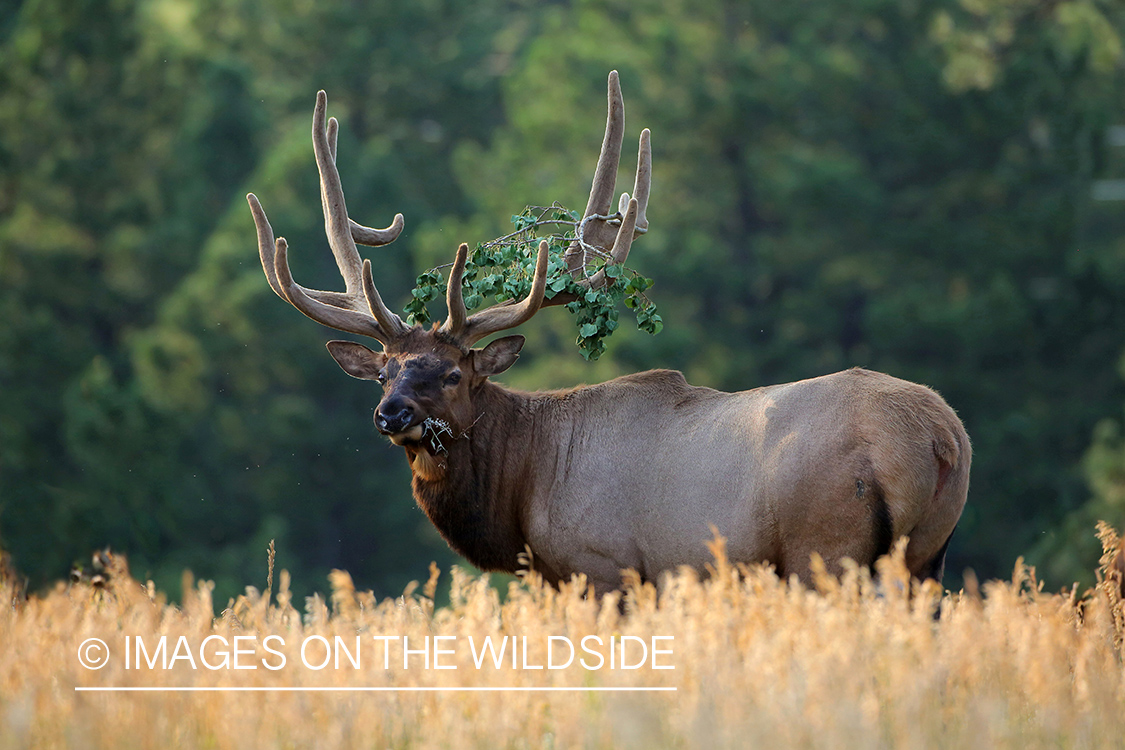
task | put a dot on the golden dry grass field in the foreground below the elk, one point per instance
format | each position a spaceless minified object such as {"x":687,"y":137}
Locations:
{"x":759,"y":663}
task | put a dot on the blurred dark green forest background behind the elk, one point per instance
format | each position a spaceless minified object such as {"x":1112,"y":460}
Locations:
{"x":921,"y":188}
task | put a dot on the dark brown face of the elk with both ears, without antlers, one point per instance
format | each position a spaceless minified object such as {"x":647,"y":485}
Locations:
{"x":428,"y":384}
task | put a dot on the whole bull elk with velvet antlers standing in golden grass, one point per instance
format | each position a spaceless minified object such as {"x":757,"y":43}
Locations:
{"x":633,"y":473}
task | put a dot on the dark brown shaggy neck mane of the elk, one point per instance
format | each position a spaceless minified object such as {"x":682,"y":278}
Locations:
{"x":473,"y":495}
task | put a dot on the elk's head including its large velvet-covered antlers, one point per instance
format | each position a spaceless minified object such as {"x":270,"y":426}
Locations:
{"x":431,"y":376}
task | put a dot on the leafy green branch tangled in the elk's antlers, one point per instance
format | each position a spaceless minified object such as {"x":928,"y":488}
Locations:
{"x":505,"y":269}
